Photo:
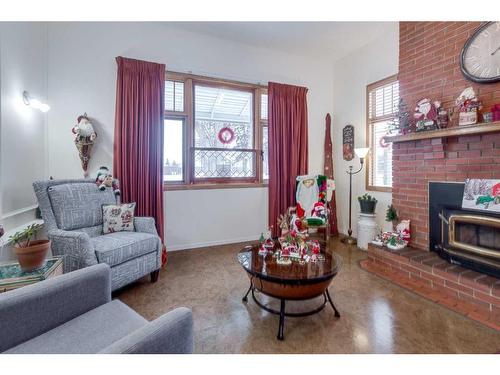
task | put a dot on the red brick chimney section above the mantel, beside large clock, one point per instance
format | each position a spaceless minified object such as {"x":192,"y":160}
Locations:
{"x":429,"y":67}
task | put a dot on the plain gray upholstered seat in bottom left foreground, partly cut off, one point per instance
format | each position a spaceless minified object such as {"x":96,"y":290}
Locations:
{"x":74,"y":313}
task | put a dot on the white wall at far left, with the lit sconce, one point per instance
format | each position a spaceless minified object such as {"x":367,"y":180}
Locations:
{"x":23,"y":136}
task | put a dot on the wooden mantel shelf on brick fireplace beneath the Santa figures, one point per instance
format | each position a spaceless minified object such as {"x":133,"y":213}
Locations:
{"x":490,"y":127}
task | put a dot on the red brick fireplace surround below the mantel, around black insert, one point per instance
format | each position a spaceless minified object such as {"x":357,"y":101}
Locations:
{"x":416,"y":163}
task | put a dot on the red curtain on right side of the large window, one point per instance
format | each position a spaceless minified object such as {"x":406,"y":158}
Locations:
{"x":288,"y":154}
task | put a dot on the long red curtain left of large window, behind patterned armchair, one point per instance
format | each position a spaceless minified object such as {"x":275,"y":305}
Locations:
{"x":138,"y":146}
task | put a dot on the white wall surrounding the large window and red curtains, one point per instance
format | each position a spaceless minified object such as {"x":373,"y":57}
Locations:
{"x":82,"y":78}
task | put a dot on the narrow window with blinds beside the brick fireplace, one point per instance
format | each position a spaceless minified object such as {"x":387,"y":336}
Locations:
{"x":382,"y":101}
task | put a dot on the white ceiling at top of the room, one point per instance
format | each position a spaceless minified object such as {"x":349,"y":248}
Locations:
{"x":327,"y":40}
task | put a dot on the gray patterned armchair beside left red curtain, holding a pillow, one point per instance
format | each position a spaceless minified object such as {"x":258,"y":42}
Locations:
{"x":72,"y":211}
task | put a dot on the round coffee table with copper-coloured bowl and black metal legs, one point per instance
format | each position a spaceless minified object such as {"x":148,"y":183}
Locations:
{"x":289,"y":282}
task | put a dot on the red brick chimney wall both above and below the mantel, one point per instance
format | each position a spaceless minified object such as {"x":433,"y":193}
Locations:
{"x":429,"y":67}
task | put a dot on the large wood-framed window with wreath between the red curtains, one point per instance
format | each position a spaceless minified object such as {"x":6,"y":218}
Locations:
{"x":214,"y":132}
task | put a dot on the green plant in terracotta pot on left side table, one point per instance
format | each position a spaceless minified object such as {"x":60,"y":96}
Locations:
{"x":30,"y":252}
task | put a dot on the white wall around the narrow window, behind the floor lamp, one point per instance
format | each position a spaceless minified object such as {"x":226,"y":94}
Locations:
{"x":377,"y":60}
